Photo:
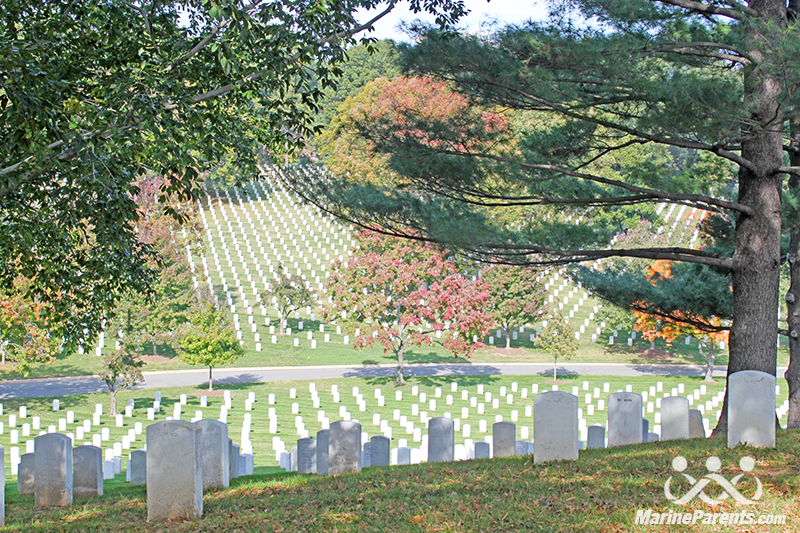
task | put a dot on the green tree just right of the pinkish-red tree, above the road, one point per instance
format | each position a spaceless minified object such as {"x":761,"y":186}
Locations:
{"x":516,"y":297}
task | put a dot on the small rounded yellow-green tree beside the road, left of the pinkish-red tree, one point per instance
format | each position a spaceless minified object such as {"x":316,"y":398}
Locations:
{"x":209,"y":340}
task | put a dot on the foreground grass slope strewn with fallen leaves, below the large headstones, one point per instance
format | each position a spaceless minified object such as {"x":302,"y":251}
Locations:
{"x":602,"y":491}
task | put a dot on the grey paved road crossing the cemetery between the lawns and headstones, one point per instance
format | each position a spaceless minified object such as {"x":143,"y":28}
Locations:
{"x":424,"y":372}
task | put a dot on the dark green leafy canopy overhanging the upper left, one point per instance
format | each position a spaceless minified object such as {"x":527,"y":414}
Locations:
{"x":94,"y":94}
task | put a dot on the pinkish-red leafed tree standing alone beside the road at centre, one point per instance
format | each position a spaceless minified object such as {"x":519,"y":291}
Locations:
{"x":400,"y":293}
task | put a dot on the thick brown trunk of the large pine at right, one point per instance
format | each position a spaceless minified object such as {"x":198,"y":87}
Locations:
{"x":756,"y":260}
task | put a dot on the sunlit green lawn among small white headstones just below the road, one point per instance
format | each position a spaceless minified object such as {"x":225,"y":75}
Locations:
{"x":265,"y":455}
